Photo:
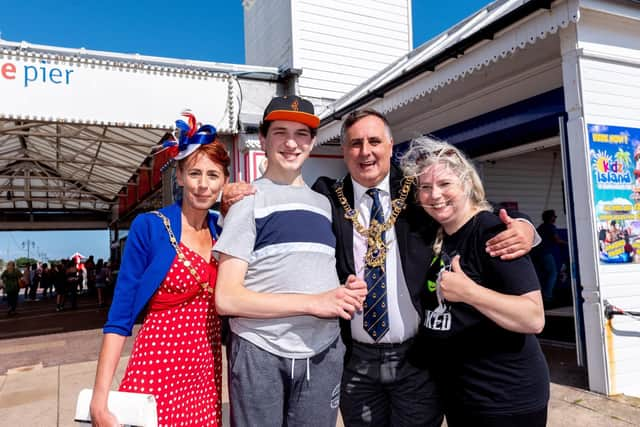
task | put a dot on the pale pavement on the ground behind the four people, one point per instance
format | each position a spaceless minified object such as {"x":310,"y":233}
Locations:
{"x":42,"y":372}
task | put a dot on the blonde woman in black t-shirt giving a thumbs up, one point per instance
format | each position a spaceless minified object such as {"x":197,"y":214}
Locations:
{"x":481,"y":313}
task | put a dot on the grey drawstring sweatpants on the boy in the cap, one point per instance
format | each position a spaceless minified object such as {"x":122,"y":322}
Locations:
{"x":266,"y":390}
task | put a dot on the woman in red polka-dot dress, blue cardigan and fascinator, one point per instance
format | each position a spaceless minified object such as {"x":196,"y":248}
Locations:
{"x":167,"y":264}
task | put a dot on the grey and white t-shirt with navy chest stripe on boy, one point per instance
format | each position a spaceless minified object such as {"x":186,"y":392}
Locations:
{"x":284,"y":233}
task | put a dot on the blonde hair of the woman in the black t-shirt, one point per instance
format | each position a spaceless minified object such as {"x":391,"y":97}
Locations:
{"x":425,"y":152}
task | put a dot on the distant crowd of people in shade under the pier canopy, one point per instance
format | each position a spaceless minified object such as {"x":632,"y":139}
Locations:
{"x":63,"y":280}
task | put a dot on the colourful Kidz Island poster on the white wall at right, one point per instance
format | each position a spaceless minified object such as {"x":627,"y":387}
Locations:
{"x":615,"y":170}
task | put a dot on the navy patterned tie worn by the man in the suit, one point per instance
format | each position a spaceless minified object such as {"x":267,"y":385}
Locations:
{"x":376,"y":316}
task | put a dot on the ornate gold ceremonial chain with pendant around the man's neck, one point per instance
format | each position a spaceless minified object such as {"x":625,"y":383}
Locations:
{"x":376,"y":247}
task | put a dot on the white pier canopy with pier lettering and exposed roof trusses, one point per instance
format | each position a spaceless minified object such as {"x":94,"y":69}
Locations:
{"x":75,"y":125}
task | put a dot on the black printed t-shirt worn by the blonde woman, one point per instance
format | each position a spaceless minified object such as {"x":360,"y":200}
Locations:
{"x":479,"y":365}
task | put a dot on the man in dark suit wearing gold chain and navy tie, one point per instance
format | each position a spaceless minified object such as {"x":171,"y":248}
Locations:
{"x":381,"y":384}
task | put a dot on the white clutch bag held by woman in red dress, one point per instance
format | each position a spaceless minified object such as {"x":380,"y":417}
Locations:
{"x":134,"y":409}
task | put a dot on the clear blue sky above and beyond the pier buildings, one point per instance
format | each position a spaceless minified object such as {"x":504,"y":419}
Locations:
{"x":190,"y":29}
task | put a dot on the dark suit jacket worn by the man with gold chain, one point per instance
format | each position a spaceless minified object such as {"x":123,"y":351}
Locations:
{"x":415,"y":231}
